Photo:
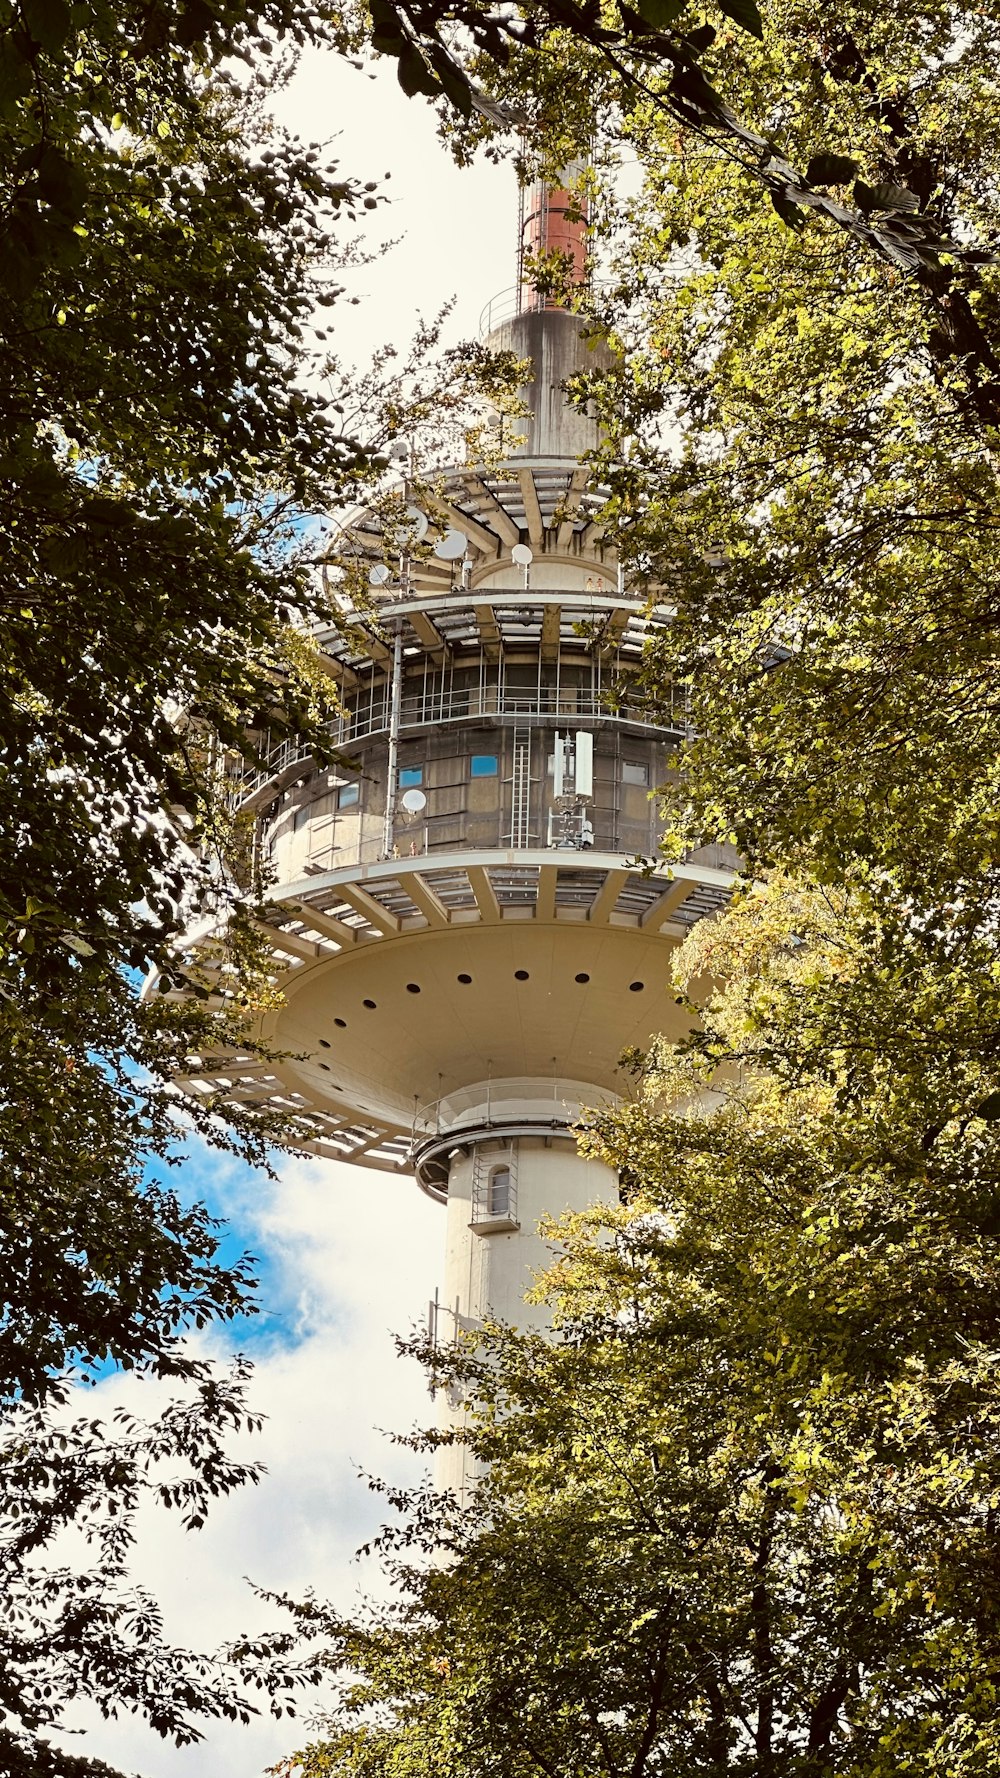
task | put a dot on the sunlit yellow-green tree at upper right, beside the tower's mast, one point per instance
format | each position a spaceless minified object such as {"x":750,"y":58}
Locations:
{"x":802,"y":454}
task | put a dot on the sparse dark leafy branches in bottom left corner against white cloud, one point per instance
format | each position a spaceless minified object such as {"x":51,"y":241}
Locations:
{"x":86,"y":1631}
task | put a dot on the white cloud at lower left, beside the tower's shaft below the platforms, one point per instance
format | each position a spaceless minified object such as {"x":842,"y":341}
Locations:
{"x":355,"y":1258}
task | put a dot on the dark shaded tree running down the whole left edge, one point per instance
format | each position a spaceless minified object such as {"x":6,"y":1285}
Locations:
{"x":163,"y":250}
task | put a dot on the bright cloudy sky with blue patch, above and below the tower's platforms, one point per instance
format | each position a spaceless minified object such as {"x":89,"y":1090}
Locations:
{"x":350,"y":1256}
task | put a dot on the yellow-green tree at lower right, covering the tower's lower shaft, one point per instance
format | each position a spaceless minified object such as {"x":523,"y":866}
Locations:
{"x":739,"y":1514}
